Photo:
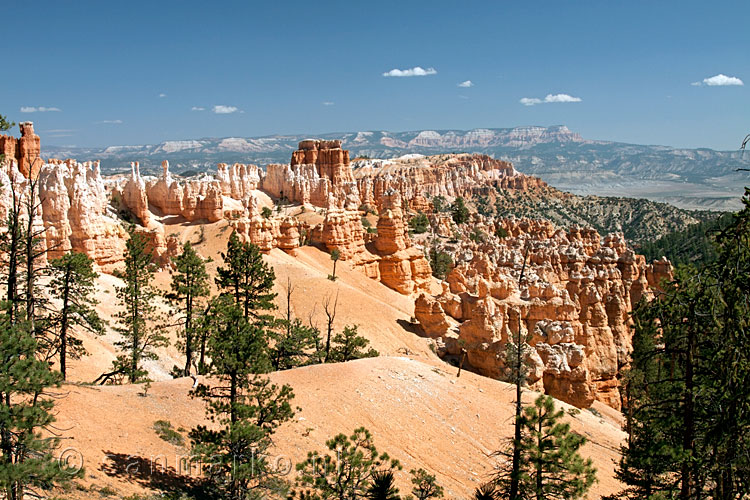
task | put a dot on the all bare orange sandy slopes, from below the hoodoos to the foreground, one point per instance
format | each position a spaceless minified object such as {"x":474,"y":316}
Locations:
{"x":412,"y":402}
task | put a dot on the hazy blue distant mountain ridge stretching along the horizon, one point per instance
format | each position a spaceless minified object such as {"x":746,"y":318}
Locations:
{"x":691,"y":178}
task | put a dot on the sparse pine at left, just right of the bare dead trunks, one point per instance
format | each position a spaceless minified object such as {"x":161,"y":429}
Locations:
{"x":73,"y":284}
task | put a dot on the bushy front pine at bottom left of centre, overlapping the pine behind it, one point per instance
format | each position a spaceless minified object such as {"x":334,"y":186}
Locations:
{"x":247,"y":406}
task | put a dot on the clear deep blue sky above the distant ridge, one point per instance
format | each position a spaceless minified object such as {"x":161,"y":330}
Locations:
{"x":132,"y":72}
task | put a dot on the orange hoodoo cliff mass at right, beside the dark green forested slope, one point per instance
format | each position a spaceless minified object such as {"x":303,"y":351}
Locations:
{"x":572,"y":305}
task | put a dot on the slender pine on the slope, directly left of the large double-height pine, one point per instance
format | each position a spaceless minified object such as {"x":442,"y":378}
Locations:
{"x":189,"y":285}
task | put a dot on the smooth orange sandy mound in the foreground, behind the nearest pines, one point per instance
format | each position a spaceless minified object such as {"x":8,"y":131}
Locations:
{"x":419,"y":412}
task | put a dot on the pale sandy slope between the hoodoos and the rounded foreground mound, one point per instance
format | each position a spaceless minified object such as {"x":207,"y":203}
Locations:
{"x":382,"y":315}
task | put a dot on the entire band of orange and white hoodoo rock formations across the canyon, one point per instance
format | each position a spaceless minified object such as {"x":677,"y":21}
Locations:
{"x":572,"y":305}
